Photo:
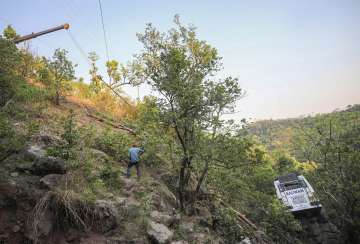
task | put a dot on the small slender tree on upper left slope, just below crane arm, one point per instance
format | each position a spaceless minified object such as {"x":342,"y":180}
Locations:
{"x":62,"y":70}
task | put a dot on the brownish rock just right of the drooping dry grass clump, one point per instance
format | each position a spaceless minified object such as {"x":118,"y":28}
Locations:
{"x":105,"y":216}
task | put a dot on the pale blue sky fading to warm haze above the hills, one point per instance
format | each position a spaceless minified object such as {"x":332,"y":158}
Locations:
{"x":292,"y":58}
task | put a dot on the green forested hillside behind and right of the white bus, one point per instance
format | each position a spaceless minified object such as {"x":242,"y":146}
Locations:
{"x":329,"y":145}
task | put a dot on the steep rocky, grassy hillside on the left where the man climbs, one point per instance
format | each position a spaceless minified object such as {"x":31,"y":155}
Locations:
{"x":62,"y":181}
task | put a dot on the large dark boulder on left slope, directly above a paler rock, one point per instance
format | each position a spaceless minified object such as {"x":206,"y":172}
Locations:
{"x":48,"y":165}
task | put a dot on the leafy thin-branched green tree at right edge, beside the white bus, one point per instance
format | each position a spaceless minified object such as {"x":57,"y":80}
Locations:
{"x":335,"y":147}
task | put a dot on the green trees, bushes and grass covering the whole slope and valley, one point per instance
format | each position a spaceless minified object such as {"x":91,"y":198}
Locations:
{"x":228,"y":166}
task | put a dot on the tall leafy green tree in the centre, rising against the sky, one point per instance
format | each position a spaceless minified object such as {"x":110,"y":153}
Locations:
{"x":181,"y":68}
